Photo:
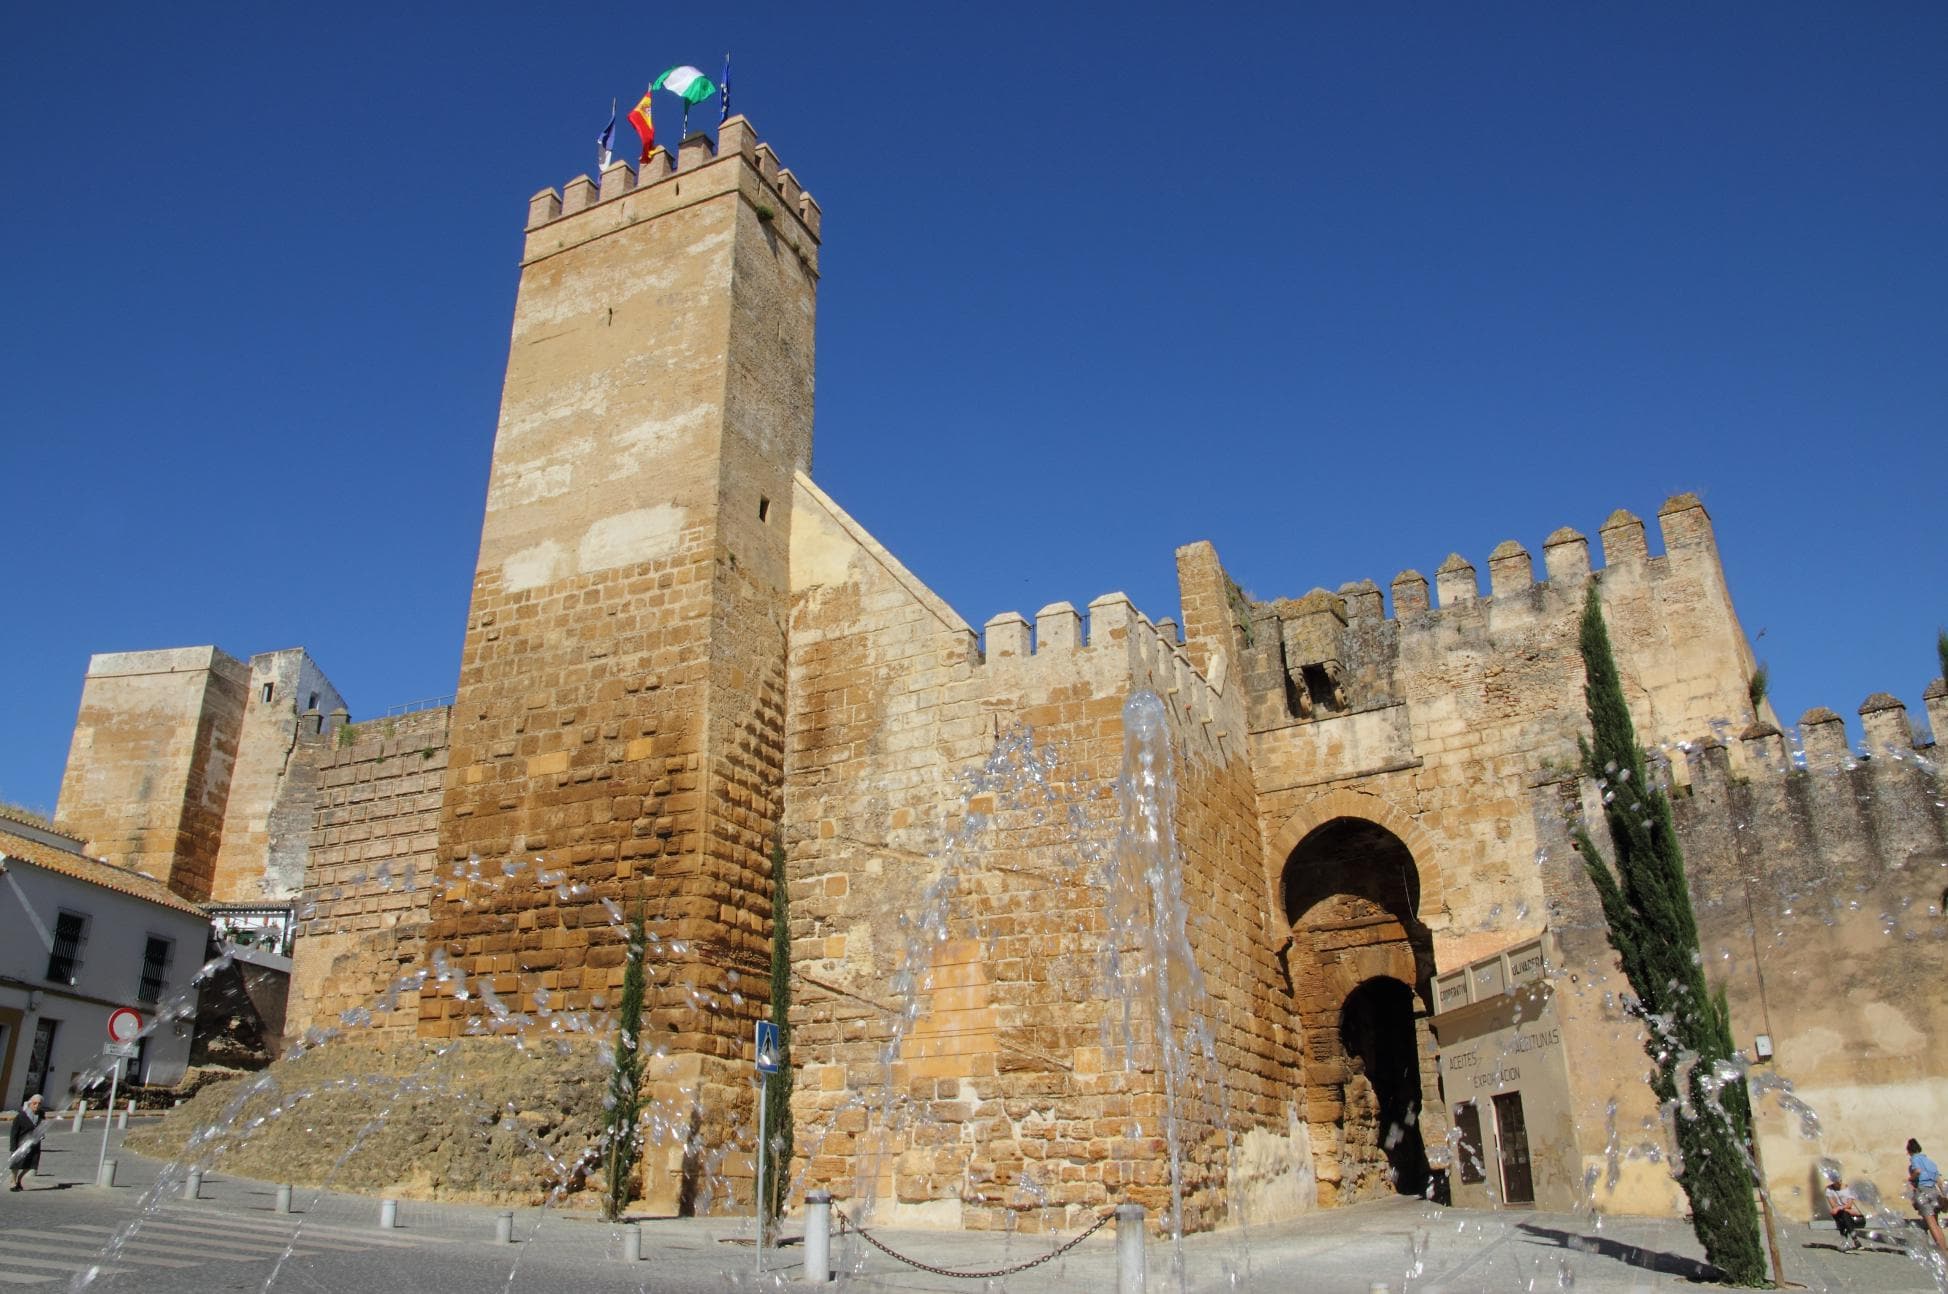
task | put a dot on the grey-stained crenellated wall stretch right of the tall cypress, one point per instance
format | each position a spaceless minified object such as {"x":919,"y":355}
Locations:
{"x":1820,"y":909}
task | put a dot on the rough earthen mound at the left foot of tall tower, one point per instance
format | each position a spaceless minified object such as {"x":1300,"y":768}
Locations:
{"x":470,"y":1120}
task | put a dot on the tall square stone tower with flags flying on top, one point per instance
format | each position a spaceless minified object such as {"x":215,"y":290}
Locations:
{"x":620,"y":704}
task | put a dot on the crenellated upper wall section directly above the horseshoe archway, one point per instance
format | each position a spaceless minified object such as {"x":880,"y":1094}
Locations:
{"x":1452,"y":667}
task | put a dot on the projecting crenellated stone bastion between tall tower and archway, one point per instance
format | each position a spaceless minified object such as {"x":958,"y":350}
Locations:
{"x":1018,"y":1104}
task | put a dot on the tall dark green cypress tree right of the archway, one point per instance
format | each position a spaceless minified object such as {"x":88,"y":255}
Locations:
{"x":1647,"y":905}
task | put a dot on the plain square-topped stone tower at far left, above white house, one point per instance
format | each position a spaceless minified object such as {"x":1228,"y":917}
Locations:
{"x":149,"y":769}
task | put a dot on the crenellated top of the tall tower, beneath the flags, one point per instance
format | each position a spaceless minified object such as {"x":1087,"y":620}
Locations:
{"x":622,"y":196}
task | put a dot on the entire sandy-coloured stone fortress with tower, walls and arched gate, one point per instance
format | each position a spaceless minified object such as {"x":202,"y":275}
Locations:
{"x":683,"y":654}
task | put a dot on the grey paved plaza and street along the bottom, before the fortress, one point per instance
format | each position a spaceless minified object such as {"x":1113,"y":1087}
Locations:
{"x":231,"y":1238}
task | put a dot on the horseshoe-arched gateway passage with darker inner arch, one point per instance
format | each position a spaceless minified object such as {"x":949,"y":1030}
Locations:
{"x":1363,"y":966}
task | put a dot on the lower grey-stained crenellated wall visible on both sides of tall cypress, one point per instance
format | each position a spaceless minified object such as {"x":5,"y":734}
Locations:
{"x":1820,"y":895}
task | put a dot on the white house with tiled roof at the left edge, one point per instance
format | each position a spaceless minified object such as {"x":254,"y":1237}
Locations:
{"x":81,"y":940}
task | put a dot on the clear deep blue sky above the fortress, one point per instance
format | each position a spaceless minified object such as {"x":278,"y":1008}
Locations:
{"x":1337,"y":287}
